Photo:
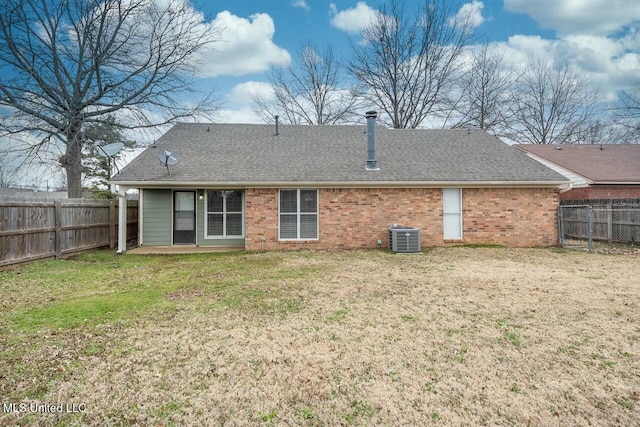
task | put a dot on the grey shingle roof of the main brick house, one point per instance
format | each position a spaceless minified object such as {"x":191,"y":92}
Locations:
{"x":324,"y":155}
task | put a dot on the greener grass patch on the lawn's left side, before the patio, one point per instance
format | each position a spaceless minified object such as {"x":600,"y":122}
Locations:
{"x":99,"y":286}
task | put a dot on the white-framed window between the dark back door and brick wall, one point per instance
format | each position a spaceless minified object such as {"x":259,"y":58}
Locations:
{"x":224,"y":213}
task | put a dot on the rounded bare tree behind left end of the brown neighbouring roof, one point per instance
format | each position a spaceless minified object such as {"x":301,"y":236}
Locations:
{"x":553,"y":104}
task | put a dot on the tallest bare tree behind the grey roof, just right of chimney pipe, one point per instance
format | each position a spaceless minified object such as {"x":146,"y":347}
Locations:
{"x":407,"y":60}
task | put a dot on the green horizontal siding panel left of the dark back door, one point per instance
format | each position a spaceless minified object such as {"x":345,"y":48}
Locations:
{"x":157,"y":211}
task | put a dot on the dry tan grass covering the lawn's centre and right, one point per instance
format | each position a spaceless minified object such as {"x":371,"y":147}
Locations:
{"x":461,"y":336}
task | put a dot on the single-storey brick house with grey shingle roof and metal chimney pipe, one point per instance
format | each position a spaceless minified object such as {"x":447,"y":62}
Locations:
{"x":297,"y":186}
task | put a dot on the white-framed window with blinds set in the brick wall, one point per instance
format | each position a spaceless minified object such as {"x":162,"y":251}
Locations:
{"x":298,"y":214}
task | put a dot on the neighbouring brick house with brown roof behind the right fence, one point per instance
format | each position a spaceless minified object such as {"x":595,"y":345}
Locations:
{"x":608,"y":171}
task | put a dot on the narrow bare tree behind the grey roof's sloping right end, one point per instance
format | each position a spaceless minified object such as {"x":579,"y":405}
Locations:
{"x":485,"y":91}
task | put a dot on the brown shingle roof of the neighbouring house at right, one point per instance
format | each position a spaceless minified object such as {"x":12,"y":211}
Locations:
{"x":597,"y":164}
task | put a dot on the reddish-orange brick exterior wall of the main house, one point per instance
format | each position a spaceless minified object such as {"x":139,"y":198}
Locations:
{"x":358,"y":217}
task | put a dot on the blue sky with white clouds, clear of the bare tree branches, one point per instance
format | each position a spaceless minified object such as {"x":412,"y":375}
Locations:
{"x":601,"y":37}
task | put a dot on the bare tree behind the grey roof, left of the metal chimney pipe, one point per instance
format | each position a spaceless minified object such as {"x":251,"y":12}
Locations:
{"x":308,"y":91}
